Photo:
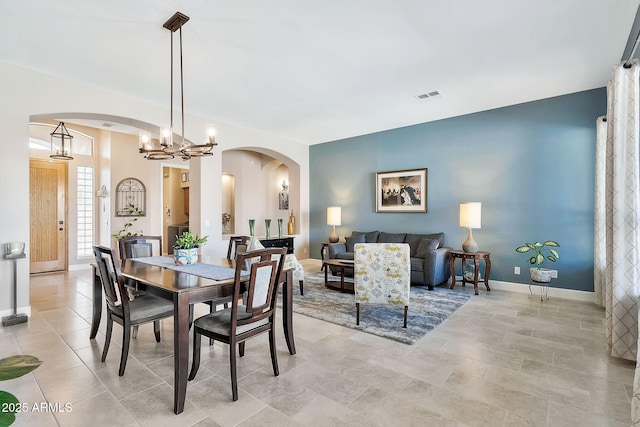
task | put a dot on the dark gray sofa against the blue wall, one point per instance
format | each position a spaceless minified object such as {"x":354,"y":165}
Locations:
{"x":429,"y":256}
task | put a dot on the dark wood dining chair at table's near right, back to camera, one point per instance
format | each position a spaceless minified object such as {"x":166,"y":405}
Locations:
{"x":238,"y":323}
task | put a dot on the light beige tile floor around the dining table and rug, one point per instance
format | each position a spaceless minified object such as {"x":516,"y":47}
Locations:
{"x":501,"y":360}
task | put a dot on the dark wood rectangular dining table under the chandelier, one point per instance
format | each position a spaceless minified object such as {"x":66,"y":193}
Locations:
{"x":185,"y":287}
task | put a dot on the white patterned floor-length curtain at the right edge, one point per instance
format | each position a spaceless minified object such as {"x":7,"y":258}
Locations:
{"x":617,"y":207}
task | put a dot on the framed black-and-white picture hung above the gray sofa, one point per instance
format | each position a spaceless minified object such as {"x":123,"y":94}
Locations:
{"x":401,"y":191}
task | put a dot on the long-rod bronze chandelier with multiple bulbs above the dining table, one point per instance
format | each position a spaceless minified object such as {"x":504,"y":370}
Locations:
{"x":167,"y":148}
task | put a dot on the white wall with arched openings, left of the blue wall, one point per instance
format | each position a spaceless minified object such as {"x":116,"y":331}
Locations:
{"x":26,"y":93}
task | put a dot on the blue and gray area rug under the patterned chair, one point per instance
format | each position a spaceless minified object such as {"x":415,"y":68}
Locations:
{"x":427,"y":309}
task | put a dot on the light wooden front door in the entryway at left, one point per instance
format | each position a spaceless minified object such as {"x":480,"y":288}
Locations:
{"x":48,"y":203}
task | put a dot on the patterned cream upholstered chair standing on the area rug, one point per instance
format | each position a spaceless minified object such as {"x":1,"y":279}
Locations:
{"x":382,"y":275}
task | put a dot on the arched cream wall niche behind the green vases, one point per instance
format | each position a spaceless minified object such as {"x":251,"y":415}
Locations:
{"x":258,"y":181}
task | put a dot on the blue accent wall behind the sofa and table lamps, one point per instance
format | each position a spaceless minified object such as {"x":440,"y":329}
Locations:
{"x":531,"y":165}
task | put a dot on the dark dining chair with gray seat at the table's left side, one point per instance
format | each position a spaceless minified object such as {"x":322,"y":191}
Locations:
{"x":120,"y":309}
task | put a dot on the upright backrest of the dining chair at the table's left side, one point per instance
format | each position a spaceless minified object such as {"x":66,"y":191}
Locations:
{"x":111,"y":278}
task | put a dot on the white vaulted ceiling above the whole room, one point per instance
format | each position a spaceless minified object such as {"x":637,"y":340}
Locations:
{"x":316,"y":71}
